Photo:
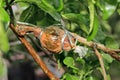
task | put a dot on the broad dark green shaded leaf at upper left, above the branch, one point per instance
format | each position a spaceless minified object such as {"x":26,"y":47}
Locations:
{"x":29,"y":15}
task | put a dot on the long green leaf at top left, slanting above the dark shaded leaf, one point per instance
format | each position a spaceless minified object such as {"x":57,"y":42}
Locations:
{"x":45,"y":6}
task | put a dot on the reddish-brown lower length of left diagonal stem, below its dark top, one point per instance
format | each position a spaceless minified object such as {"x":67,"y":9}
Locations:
{"x":34,"y":55}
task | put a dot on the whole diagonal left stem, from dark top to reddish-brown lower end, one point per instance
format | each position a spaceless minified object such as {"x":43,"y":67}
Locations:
{"x":27,"y":44}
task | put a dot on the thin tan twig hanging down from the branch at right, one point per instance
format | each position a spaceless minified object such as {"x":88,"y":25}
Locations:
{"x":101,"y":62}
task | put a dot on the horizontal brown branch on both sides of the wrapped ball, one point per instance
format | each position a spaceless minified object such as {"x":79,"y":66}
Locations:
{"x":82,"y":40}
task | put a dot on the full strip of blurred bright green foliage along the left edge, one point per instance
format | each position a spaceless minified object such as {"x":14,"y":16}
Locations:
{"x":4,"y":45}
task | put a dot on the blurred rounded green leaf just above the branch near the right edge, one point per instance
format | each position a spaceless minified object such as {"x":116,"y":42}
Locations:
{"x":111,"y":43}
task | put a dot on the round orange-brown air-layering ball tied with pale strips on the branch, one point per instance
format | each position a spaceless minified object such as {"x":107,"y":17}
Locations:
{"x":56,"y":40}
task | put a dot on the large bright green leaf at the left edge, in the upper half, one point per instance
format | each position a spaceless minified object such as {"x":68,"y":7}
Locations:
{"x":4,"y":22}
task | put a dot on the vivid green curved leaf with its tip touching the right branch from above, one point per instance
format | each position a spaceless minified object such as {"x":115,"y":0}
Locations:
{"x":94,"y":30}
